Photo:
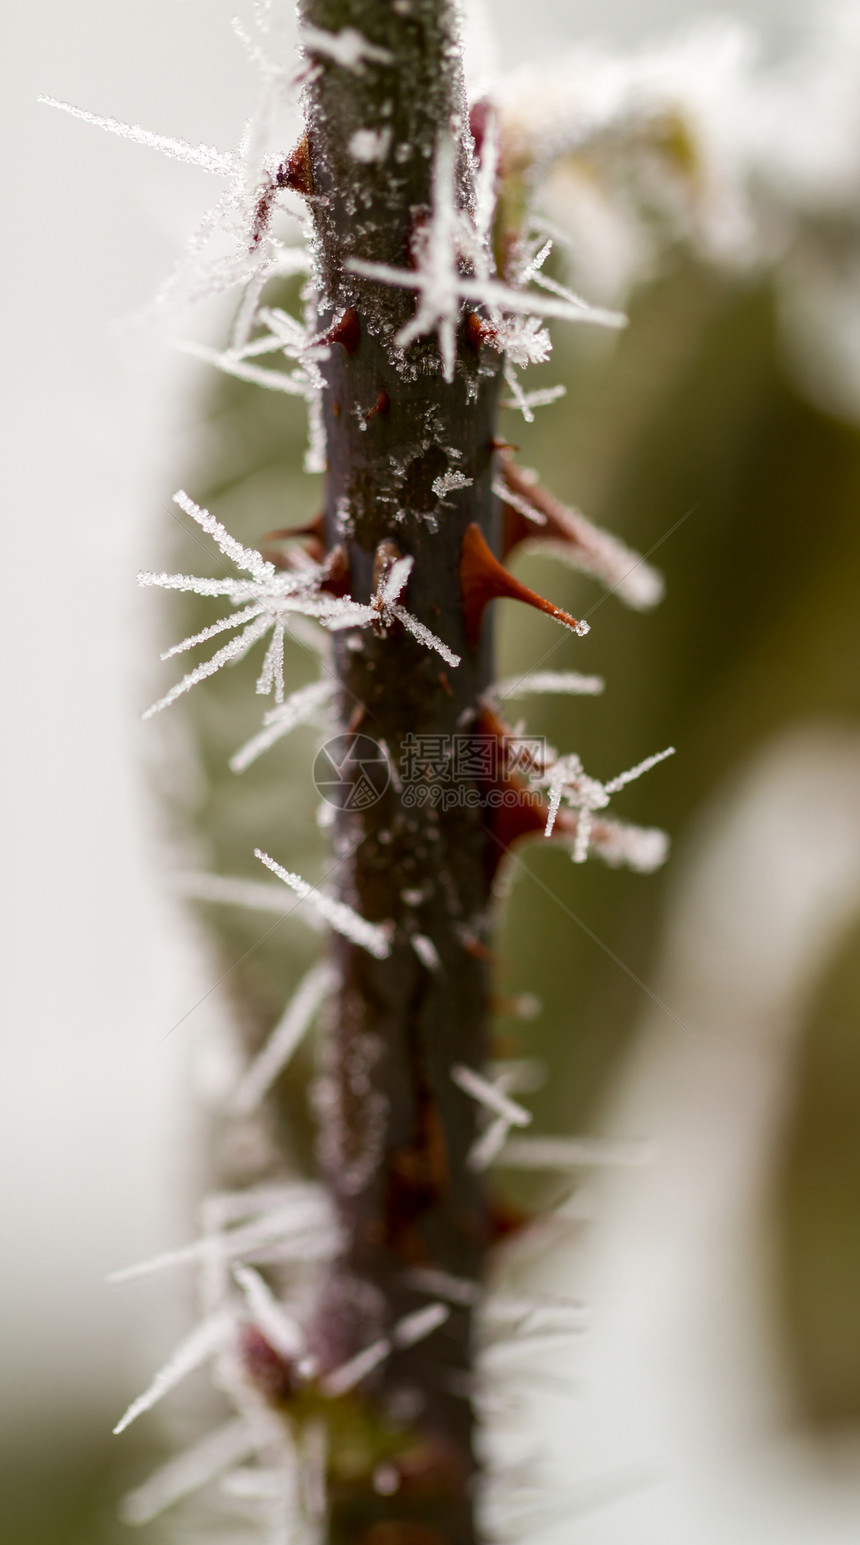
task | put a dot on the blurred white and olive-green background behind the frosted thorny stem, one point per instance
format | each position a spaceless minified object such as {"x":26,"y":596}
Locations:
{"x":713,"y":1008}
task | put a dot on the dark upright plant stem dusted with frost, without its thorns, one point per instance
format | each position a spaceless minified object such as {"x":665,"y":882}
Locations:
{"x":399,"y":1153}
